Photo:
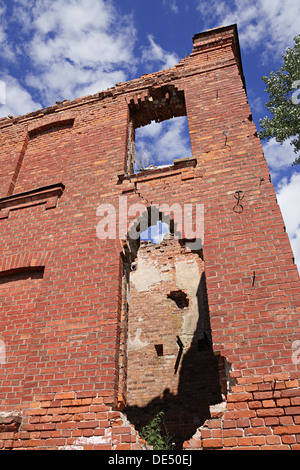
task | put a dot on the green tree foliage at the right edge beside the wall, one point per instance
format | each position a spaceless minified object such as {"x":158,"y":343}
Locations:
{"x":284,"y":103}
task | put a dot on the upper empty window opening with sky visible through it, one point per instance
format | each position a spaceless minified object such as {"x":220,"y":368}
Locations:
{"x":158,"y":130}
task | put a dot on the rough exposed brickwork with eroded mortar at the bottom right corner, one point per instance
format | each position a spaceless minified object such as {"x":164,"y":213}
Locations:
{"x":262,"y":414}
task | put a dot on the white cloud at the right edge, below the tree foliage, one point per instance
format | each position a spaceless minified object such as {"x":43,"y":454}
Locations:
{"x":288,"y":196}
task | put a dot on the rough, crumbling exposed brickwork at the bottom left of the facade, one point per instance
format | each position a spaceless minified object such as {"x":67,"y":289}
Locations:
{"x":69,"y":421}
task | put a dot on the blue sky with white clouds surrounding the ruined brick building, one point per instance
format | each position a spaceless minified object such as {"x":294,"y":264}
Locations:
{"x":63,"y":49}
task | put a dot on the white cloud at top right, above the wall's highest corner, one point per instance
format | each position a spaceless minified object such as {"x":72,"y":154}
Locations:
{"x":270,"y":24}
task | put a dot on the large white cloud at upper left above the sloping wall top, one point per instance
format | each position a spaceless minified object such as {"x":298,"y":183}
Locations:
{"x":75,"y":47}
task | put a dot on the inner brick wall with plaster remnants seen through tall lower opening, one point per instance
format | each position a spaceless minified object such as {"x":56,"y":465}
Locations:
{"x":171,"y":365}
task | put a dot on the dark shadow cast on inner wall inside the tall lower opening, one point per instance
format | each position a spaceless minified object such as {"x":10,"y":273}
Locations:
{"x":198,"y":386}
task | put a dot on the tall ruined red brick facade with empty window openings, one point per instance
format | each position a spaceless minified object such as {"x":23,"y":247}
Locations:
{"x":62,"y":302}
